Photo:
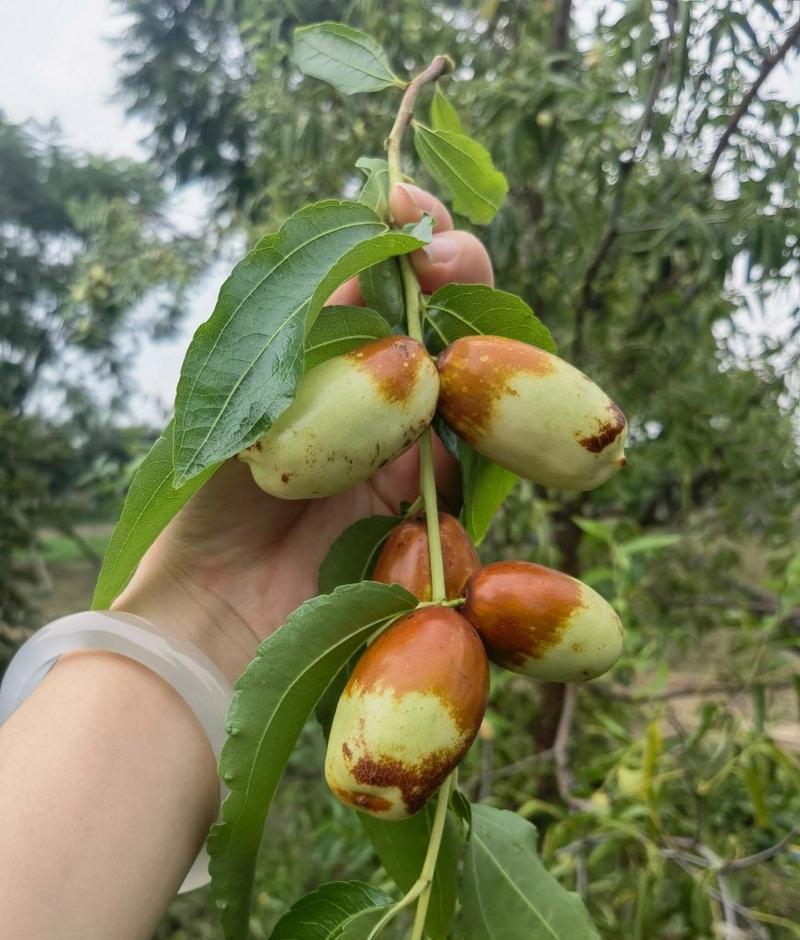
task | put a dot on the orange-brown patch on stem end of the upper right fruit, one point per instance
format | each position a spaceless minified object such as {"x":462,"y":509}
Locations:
{"x":475,"y":373}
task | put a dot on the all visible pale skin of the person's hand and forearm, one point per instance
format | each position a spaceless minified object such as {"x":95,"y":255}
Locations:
{"x":107,"y":783}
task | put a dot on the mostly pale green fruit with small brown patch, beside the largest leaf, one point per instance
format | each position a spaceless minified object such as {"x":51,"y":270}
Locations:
{"x":351,"y":415}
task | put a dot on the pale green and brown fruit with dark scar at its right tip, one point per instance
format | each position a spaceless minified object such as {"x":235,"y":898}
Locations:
{"x":531,"y":412}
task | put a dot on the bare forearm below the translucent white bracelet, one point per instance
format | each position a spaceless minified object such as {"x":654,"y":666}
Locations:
{"x":107,"y":790}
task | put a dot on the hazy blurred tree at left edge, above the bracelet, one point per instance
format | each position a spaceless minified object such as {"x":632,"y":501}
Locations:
{"x":83,"y":241}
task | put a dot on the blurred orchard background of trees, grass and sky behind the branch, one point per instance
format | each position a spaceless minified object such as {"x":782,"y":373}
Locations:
{"x":651,"y":148}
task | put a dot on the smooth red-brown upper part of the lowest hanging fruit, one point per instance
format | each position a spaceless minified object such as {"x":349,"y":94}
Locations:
{"x":432,"y":651}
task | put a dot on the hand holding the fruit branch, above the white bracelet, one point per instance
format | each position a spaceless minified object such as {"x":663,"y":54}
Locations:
{"x":235,"y":561}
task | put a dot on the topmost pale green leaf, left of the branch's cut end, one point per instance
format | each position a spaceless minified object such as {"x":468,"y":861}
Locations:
{"x":344,"y":57}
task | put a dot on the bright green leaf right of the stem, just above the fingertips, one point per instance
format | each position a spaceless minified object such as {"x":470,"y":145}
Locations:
{"x":462,"y":167}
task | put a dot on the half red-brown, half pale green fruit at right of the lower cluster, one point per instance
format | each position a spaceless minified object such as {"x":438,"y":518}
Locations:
{"x":541,"y":622}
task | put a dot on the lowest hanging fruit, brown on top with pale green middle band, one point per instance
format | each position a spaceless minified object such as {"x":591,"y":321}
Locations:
{"x":408,"y":713}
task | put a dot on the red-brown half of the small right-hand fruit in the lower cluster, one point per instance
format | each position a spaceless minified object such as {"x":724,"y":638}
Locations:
{"x":520,"y":609}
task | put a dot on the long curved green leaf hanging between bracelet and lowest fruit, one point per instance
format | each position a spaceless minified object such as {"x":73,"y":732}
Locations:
{"x":270,"y":705}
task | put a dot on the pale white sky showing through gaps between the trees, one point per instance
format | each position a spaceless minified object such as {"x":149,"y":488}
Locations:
{"x":58,"y":61}
